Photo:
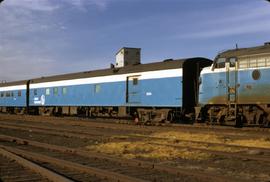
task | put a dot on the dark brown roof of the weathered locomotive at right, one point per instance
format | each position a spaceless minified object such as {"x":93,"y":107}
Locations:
{"x":246,"y":51}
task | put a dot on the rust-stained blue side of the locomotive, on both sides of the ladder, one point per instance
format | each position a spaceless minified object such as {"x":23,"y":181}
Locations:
{"x":213,"y":88}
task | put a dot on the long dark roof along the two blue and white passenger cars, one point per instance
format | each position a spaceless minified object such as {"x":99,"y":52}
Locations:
{"x":166,"y":64}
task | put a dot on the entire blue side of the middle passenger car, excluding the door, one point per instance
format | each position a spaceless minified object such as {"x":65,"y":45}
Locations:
{"x":152,"y":92}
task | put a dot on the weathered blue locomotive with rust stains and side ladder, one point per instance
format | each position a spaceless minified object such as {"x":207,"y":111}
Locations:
{"x":235,"y":88}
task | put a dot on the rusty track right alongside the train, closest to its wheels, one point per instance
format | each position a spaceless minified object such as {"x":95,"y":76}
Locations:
{"x":111,"y":124}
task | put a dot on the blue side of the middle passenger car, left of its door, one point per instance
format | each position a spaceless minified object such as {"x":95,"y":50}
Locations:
{"x":81,"y":95}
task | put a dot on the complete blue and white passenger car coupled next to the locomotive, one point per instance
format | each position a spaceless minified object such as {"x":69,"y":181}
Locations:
{"x":129,"y":89}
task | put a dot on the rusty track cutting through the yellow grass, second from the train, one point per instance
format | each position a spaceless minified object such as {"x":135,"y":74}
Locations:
{"x":241,"y":154}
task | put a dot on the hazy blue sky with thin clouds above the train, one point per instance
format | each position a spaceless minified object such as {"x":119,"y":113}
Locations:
{"x":48,"y":37}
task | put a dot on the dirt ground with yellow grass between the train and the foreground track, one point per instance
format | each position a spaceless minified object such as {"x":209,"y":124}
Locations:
{"x":240,"y":154}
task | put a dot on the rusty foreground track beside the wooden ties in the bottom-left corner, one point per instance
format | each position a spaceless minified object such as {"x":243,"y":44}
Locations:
{"x":98,"y":165}
